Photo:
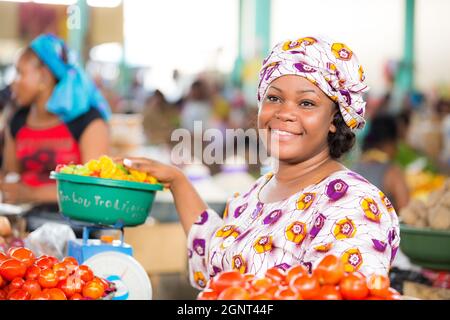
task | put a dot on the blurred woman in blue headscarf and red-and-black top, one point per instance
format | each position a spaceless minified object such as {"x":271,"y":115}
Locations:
{"x":62,"y":119}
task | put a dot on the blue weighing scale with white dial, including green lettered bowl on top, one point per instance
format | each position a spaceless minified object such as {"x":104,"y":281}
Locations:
{"x":105,"y":204}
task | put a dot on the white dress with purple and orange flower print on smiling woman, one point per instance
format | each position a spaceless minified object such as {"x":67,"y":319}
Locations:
{"x":343,"y":214}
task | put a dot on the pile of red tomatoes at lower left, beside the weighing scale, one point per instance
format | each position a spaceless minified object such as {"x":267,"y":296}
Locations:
{"x":25,"y":277}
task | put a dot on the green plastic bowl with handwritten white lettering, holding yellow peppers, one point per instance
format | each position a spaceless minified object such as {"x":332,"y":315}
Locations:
{"x":104,"y":201}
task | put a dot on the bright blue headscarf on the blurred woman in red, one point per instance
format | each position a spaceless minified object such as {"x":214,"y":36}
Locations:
{"x":75,"y":93}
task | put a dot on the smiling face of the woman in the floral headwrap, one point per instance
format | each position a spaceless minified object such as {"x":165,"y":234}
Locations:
{"x":297,"y":117}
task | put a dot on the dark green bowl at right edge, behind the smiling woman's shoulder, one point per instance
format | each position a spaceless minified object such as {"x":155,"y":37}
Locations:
{"x":426,"y":247}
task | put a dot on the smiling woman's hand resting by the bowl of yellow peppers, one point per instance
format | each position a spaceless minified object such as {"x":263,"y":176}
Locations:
{"x":167,"y":175}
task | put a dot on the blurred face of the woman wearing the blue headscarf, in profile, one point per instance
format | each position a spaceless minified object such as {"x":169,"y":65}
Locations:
{"x":29,"y":80}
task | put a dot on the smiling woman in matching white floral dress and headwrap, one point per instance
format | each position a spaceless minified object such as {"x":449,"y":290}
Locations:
{"x":310,"y":206}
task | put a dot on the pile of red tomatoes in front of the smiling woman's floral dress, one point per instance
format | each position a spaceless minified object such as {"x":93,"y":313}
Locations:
{"x":328,"y":281}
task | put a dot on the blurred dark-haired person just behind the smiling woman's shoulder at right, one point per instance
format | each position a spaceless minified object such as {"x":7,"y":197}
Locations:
{"x":376,"y":163}
